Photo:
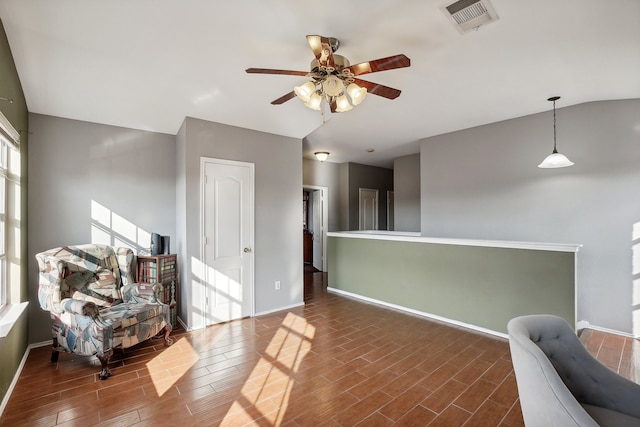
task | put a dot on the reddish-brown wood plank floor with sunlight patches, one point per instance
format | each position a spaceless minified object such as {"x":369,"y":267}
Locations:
{"x":333,"y":362}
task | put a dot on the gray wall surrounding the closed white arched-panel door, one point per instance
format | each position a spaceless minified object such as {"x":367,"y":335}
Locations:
{"x":278,"y":207}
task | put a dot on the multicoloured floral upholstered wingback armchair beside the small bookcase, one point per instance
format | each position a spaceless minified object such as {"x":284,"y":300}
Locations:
{"x":94,"y":302}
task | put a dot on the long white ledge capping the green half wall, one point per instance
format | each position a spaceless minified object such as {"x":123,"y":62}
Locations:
{"x":403,"y":236}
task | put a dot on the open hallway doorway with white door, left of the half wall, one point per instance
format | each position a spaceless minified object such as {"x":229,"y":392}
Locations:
{"x":315,"y":214}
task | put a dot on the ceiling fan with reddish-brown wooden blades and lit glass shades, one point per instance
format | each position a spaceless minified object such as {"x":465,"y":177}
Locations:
{"x":333,"y":78}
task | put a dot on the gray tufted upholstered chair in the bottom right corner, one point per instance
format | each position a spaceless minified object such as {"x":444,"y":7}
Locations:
{"x":556,"y":374}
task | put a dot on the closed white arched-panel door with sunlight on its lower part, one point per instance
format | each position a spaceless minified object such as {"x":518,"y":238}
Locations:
{"x":227,"y":240}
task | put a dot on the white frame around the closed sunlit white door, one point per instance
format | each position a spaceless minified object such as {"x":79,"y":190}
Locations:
{"x":204,"y":272}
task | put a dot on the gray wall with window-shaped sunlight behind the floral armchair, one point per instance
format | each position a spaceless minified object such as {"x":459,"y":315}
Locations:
{"x":78,"y":170}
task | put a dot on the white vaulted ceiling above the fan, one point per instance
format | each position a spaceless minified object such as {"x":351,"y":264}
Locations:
{"x":146,"y":64}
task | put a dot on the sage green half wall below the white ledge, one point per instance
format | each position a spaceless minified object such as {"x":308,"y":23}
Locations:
{"x":481,"y":286}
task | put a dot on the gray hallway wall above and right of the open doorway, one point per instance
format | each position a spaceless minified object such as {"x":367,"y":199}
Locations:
{"x":325,"y":174}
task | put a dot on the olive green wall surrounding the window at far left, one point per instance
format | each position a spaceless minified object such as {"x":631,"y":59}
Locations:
{"x":14,"y":345}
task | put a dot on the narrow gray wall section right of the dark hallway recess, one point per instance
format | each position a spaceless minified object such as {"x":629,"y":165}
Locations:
{"x":406,"y":189}
